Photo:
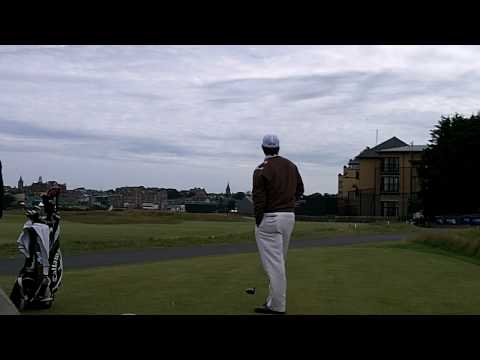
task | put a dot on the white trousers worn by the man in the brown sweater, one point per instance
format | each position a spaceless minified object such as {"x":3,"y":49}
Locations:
{"x":273,"y":238}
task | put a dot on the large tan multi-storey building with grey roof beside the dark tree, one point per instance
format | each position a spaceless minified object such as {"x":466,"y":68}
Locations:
{"x":381,"y":181}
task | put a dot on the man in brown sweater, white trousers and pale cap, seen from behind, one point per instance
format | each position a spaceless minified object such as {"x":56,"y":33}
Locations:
{"x":277,"y":185}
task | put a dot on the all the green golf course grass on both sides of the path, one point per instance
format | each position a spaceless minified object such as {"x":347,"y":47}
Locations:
{"x":399,"y":278}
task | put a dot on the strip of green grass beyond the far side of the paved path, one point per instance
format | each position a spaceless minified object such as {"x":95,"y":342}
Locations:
{"x":96,"y":231}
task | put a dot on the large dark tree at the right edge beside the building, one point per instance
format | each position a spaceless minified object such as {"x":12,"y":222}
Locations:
{"x":449,"y":183}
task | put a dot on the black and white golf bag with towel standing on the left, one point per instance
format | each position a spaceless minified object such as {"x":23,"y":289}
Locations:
{"x":42,"y":272}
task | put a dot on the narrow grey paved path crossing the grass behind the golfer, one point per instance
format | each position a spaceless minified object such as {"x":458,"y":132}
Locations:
{"x":122,"y":257}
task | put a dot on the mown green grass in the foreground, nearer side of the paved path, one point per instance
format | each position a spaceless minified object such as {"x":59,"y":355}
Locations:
{"x":367,"y":279}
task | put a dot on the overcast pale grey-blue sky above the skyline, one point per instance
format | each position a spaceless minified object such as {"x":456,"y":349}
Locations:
{"x":185,"y":116}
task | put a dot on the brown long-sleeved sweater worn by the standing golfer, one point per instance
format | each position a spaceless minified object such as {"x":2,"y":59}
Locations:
{"x":277,"y":185}
